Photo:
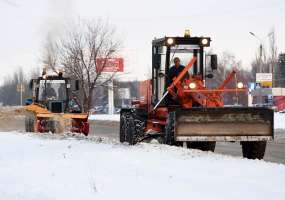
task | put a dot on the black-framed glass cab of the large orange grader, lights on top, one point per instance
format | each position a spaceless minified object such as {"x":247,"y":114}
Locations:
{"x":164,"y":50}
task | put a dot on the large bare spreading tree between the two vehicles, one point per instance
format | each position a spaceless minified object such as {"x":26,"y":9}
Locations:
{"x":83,"y":44}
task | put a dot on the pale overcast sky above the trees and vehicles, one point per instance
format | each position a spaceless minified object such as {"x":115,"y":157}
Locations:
{"x":25,"y":24}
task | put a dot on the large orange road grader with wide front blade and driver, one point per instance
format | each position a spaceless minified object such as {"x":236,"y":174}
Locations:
{"x":184,"y":111}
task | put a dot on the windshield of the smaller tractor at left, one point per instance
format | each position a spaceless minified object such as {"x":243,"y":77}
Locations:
{"x":52,"y":90}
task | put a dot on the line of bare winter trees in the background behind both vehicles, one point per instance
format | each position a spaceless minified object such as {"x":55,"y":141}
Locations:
{"x":84,"y":41}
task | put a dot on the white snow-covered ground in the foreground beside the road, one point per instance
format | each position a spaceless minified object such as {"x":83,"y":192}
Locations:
{"x":36,"y":167}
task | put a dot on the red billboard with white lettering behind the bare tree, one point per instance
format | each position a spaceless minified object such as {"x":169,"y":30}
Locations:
{"x":110,"y":64}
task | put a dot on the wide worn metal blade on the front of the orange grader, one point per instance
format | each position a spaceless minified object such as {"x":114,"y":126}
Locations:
{"x":224,"y":124}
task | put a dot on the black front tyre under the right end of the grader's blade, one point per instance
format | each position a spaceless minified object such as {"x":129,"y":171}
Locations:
{"x":253,"y":149}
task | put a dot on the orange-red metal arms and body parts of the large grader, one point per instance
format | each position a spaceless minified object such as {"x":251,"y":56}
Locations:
{"x":188,"y":97}
